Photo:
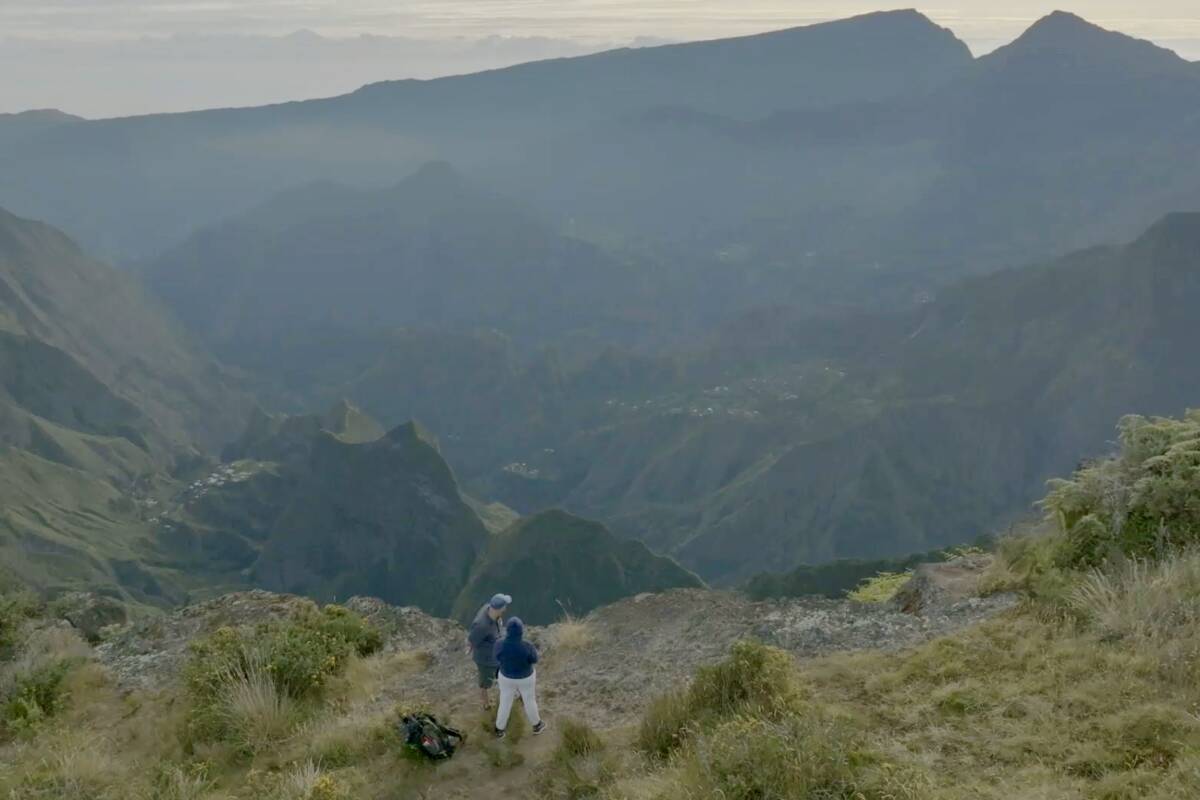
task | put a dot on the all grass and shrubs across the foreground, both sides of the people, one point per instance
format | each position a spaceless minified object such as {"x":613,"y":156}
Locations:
{"x":1089,"y":690}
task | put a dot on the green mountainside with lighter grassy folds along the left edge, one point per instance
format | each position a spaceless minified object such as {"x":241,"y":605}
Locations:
{"x":103,"y":401}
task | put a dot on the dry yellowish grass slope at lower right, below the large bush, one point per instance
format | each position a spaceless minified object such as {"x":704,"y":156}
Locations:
{"x":1096,"y":702}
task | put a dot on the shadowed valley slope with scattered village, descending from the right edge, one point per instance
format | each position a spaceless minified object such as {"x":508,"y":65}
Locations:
{"x":866,"y":437}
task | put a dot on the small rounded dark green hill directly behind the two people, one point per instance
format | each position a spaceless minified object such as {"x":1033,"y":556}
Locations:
{"x":555,"y":563}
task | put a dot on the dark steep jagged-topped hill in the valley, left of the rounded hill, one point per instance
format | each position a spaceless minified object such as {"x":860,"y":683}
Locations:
{"x":381,"y":519}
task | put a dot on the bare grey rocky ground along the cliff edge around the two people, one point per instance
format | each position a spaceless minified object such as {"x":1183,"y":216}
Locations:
{"x":603,"y":669}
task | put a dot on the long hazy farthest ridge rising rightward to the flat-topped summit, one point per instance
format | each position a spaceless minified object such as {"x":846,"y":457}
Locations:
{"x":238,"y":158}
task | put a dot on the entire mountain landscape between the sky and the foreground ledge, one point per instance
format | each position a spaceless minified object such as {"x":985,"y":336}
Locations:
{"x":751,"y":303}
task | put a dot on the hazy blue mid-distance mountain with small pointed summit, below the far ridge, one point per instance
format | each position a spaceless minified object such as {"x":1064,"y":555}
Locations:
{"x":435,"y":251}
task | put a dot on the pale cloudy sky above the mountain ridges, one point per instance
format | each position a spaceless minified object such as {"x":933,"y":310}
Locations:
{"x":104,"y":58}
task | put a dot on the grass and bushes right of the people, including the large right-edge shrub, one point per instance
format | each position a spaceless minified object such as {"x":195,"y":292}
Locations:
{"x":1088,"y":690}
